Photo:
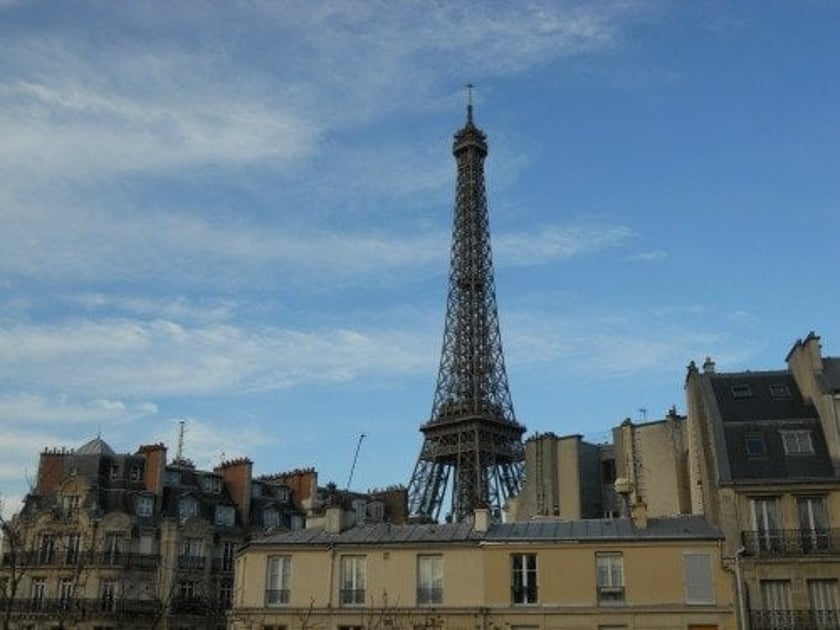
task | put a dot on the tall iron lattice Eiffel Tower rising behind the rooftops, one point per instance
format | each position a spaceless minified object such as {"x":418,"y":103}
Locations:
{"x":472,"y":438}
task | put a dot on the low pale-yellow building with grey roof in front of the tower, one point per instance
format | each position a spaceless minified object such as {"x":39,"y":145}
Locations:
{"x":583,"y":574}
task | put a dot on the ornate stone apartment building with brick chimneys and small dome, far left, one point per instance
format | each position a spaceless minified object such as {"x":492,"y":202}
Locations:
{"x":107,"y":540}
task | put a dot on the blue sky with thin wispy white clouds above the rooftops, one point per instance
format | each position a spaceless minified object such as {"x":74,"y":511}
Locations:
{"x":237,"y":215}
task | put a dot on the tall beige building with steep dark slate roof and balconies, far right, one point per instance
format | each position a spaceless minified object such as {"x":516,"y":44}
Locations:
{"x":763,"y":455}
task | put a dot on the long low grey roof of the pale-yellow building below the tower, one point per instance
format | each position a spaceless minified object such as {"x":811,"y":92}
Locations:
{"x":674,"y":528}
